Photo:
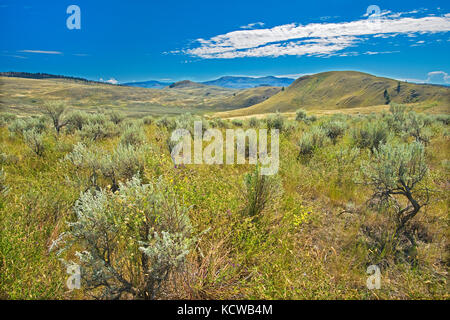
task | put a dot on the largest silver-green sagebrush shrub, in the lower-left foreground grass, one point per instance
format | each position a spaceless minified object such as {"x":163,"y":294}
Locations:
{"x":129,"y":242}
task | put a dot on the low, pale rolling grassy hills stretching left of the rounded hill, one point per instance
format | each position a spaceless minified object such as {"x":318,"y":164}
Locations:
{"x":22,"y":96}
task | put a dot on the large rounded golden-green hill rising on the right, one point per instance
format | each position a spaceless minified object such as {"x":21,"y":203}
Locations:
{"x":347,"y":89}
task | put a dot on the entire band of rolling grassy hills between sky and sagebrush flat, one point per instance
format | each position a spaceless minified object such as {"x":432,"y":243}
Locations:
{"x":319,"y":96}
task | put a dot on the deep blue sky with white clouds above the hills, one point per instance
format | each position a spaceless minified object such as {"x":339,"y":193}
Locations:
{"x":201,"y":40}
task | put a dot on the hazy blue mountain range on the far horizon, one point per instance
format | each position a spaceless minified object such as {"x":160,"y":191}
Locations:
{"x":225,"y":82}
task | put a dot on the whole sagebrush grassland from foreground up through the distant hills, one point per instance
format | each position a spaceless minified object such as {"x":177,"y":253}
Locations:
{"x":319,"y":229}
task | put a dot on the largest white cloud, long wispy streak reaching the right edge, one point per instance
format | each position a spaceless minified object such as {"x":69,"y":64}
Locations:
{"x":315,"y":39}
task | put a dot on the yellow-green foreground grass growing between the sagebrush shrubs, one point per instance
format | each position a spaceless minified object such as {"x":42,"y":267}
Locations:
{"x":313,"y":240}
